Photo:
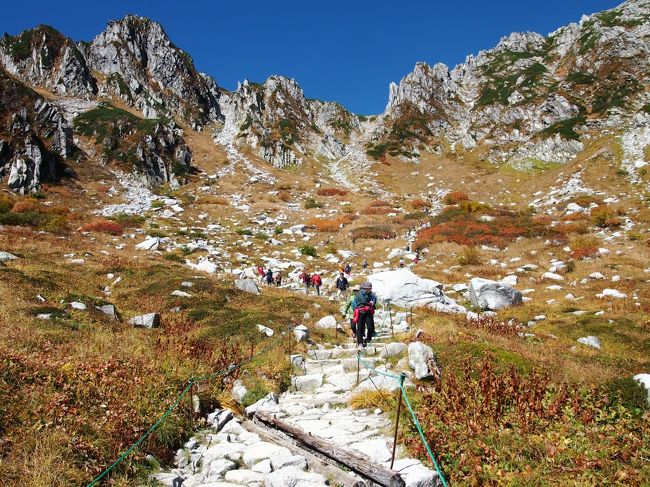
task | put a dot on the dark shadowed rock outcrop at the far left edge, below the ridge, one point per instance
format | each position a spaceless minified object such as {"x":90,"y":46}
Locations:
{"x":34,"y":137}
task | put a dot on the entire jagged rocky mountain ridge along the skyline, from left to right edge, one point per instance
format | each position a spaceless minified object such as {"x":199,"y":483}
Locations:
{"x":529,"y":98}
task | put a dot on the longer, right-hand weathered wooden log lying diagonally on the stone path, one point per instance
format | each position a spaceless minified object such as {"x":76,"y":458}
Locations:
{"x":354,"y":461}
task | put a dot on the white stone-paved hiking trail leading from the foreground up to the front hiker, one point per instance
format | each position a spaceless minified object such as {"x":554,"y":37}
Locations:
{"x":252,"y":451}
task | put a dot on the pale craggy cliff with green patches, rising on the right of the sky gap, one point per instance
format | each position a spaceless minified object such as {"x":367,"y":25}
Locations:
{"x":530,"y":96}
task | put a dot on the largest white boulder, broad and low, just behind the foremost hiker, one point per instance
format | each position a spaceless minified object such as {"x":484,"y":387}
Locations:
{"x":403,"y":288}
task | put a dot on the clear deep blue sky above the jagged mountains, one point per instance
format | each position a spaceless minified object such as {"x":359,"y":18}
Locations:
{"x":346,"y":51}
